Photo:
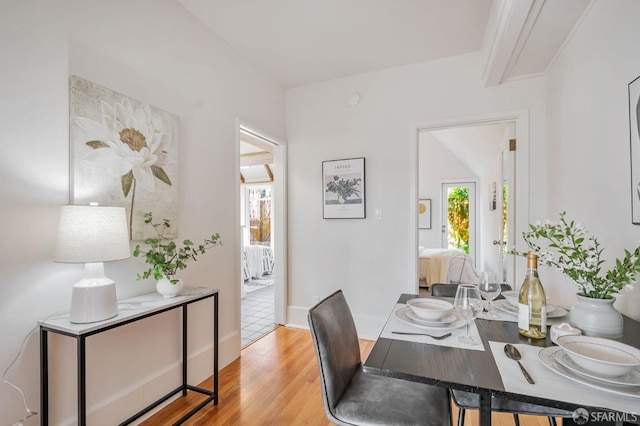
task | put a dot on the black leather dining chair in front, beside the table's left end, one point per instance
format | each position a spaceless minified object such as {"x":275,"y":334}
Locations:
{"x":352,"y":397}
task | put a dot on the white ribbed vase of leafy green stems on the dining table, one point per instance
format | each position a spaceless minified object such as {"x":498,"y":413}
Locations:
{"x":566,"y":247}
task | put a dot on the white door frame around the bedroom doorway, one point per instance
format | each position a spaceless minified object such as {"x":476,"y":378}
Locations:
{"x":522,"y":215}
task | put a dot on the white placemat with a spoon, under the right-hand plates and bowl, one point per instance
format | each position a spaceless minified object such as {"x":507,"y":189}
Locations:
{"x":551,"y":385}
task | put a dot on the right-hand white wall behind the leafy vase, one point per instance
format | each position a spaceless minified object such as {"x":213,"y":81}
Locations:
{"x":588,"y":134}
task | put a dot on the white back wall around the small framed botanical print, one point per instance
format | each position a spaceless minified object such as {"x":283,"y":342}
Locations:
{"x":371,"y":259}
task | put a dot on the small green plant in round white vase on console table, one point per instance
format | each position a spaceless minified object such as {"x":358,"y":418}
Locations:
{"x":167,"y":258}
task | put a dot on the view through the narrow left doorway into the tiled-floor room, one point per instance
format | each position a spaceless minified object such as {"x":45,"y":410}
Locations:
{"x":258,"y":257}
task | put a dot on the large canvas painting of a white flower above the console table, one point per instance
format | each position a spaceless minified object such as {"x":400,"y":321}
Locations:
{"x":123,"y":153}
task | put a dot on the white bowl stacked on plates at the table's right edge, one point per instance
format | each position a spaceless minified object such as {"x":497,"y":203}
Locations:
{"x":605,"y":357}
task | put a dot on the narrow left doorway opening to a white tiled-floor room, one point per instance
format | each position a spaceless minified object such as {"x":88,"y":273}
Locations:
{"x":261,"y":219}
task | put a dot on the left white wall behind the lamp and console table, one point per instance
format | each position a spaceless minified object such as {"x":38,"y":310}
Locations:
{"x":153,"y":51}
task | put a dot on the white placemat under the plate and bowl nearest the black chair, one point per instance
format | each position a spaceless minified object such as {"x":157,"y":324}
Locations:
{"x":394,"y":324}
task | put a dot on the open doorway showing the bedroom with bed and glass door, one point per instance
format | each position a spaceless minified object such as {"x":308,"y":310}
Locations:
{"x":462,"y":171}
